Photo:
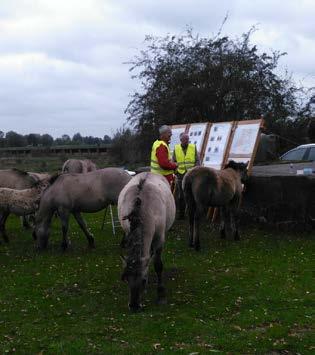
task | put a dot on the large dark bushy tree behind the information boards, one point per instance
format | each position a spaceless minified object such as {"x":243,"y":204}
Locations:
{"x":187,"y":79}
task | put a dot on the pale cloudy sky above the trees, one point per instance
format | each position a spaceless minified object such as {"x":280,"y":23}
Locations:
{"x":62,"y":62}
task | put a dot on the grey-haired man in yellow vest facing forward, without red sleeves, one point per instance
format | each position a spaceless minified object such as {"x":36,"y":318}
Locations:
{"x":186,"y":156}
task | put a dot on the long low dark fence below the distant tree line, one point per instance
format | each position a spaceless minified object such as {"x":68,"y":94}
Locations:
{"x":55,"y":150}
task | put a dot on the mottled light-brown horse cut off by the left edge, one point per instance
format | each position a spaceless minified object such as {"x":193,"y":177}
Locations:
{"x":20,"y":202}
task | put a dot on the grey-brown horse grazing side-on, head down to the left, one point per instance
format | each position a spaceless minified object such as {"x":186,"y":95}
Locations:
{"x":76,"y":193}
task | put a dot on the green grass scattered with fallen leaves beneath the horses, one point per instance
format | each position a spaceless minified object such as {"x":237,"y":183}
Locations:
{"x":253,"y":296}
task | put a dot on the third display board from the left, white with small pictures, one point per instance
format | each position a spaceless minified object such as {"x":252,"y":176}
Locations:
{"x":216,"y":144}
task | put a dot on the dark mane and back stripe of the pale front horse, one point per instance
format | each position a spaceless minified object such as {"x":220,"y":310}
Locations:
{"x":134,"y":240}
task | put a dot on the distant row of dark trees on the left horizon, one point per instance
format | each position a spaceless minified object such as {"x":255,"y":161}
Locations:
{"x":14,"y":139}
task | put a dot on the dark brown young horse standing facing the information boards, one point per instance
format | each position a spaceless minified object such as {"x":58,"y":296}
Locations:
{"x":205,"y":187}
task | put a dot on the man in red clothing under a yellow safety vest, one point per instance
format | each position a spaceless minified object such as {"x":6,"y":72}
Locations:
{"x":161,"y":156}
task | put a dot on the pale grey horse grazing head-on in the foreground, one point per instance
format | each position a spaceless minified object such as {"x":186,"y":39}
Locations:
{"x":146,"y":211}
